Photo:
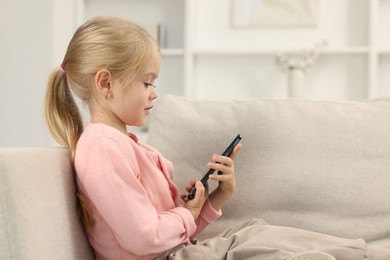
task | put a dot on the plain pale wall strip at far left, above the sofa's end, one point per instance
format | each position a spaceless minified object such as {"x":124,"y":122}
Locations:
{"x":25,"y":62}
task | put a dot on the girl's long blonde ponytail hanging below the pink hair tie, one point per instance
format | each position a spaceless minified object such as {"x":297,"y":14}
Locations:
{"x":62,"y":114}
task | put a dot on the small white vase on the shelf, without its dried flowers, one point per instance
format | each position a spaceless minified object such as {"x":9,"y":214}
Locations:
{"x":297,"y":87}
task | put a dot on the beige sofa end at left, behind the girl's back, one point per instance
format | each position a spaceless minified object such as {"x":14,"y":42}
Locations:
{"x":38,"y":218}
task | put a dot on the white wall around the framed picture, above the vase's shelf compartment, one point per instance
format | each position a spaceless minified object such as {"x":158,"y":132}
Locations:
{"x":337,"y":23}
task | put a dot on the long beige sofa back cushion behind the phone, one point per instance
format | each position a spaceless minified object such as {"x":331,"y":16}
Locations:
{"x":318,"y":165}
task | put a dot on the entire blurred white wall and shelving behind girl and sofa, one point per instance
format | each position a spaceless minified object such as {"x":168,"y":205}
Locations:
{"x":219,"y":50}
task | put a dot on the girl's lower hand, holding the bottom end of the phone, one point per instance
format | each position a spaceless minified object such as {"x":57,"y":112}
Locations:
{"x":195,"y":205}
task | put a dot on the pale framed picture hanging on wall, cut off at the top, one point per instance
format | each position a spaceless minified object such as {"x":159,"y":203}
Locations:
{"x":275,"y":13}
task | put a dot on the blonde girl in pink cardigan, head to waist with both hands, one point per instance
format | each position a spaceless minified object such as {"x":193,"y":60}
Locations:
{"x":130,"y":204}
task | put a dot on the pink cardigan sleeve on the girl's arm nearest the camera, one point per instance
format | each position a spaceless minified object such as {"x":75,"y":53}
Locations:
{"x":112,"y":183}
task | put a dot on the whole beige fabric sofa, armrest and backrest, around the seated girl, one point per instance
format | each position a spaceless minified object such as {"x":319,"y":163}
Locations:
{"x":317,"y":165}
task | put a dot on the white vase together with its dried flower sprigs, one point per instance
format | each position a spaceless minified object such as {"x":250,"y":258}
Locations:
{"x":296,"y":67}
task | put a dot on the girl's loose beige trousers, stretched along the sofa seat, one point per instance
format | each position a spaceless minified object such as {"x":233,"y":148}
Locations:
{"x":255,"y":239}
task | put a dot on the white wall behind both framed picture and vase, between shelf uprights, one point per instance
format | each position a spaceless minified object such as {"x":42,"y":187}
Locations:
{"x":239,"y":63}
